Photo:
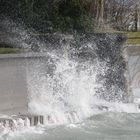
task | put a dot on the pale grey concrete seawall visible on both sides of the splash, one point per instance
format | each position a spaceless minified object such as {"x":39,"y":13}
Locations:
{"x":13,"y":78}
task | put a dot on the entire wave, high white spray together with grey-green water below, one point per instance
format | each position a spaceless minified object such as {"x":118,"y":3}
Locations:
{"x":80,"y":86}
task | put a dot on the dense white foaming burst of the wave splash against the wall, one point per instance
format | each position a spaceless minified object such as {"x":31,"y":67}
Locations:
{"x":65,"y":88}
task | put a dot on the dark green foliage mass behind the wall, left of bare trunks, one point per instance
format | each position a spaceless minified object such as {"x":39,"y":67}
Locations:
{"x":51,"y":15}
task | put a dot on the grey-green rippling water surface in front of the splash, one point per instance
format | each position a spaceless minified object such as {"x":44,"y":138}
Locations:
{"x":107,"y":126}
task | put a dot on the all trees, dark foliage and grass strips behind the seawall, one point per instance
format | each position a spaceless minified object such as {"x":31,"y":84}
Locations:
{"x":71,"y":17}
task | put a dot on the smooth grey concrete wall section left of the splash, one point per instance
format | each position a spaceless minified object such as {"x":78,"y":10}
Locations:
{"x":13,"y":82}
